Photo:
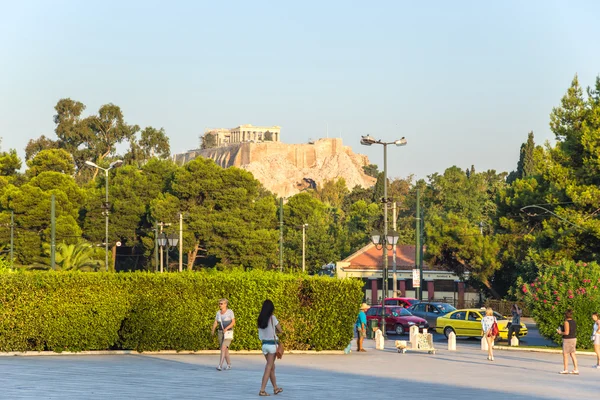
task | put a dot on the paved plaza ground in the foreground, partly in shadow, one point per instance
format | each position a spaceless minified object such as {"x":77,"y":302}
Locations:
{"x":465,"y":374}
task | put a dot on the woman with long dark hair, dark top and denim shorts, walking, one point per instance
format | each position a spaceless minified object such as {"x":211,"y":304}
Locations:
{"x":268,"y":328}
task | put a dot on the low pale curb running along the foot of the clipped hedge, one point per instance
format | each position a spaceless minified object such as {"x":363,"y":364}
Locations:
{"x":159,"y":353}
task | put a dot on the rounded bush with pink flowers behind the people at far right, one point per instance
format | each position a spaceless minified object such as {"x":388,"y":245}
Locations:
{"x":556,"y":289}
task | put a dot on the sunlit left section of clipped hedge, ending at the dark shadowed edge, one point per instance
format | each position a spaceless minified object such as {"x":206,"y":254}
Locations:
{"x":60,"y":311}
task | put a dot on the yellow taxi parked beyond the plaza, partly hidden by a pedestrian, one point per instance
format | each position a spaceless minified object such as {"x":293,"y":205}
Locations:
{"x":467,"y":322}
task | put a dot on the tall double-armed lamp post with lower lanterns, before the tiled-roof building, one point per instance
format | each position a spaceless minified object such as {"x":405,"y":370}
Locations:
{"x":368,"y":141}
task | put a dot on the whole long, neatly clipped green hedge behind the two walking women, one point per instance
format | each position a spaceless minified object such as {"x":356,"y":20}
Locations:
{"x":75,"y":311}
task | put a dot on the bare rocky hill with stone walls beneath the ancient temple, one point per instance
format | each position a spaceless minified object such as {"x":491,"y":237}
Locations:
{"x":286,"y":169}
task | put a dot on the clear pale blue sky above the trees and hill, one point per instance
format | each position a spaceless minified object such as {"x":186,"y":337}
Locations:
{"x":463,"y":81}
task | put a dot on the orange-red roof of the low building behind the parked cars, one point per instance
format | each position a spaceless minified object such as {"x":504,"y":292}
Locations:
{"x":371,"y":258}
